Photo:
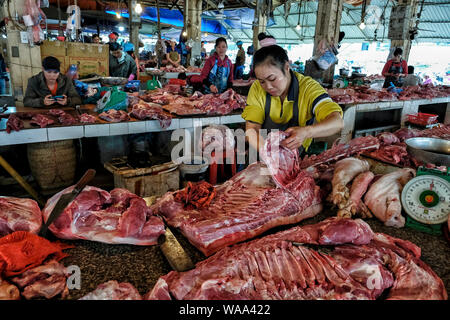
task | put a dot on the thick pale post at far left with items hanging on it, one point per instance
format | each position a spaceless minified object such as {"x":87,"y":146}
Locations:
{"x":23,"y":59}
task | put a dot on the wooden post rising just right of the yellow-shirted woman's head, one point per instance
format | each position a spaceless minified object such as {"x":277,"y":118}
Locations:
{"x":328,"y":25}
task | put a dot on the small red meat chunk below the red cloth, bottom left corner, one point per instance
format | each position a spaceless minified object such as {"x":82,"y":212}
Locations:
{"x":47,"y":280}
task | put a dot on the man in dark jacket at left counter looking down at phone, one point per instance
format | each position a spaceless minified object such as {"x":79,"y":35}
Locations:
{"x":50,"y":88}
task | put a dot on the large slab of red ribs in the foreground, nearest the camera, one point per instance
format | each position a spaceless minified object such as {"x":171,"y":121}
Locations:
{"x":337,"y":258}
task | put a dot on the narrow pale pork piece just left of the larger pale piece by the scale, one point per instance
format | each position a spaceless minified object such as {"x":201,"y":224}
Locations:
{"x":344,"y":172}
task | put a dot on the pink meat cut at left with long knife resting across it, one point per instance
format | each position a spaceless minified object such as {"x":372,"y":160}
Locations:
{"x":116,"y":217}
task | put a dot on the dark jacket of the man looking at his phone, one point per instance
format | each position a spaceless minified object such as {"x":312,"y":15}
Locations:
{"x":37,"y":90}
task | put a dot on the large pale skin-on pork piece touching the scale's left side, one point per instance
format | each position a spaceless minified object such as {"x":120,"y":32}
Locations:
{"x":383,"y":197}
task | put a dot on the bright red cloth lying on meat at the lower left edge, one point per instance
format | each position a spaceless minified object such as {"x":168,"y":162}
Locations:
{"x":22,"y":250}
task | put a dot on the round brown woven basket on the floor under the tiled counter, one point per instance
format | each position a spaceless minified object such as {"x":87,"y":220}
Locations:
{"x":52,"y":164}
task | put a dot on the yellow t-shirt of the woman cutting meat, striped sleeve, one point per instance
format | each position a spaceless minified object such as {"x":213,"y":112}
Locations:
{"x":313,"y":98}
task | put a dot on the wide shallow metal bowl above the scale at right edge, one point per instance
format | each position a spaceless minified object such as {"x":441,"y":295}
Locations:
{"x":430,"y":150}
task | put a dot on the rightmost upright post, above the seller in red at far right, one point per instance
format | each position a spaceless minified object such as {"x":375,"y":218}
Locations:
{"x":400,"y":23}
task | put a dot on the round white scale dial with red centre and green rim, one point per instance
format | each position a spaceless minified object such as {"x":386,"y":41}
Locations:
{"x":426,"y":198}
